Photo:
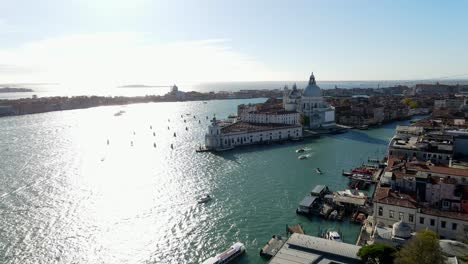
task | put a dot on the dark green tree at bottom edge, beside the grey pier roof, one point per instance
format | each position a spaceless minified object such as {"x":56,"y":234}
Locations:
{"x":377,"y":253}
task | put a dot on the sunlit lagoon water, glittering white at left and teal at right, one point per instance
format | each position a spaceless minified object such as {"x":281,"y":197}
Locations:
{"x":66,"y":196}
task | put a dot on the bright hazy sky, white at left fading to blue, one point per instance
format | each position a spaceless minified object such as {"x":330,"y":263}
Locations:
{"x":152,"y":42}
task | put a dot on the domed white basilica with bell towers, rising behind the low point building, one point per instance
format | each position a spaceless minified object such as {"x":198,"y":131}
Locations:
{"x":316,"y":112}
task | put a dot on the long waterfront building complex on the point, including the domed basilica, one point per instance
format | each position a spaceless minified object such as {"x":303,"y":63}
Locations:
{"x":268,"y":122}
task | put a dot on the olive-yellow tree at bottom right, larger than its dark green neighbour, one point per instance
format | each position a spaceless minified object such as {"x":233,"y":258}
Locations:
{"x":423,"y":248}
